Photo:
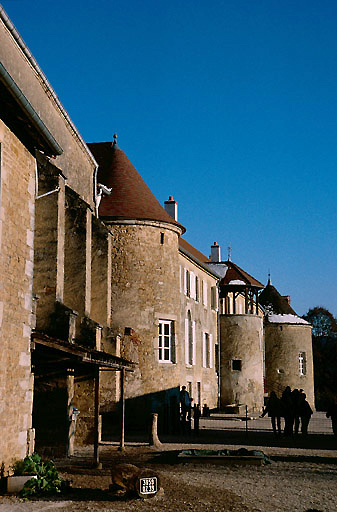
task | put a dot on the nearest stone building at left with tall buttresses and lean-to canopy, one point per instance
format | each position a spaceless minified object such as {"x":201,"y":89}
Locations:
{"x":54,"y":298}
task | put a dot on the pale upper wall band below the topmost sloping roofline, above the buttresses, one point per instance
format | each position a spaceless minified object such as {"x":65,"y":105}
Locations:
{"x":75,"y":160}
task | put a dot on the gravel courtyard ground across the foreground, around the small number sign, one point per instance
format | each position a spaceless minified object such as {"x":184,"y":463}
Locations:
{"x":301,"y":477}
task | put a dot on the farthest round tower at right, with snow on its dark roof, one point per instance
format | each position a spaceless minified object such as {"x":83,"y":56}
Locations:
{"x":288,"y":346}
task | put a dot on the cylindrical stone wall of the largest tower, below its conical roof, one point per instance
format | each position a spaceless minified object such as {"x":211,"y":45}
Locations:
{"x":145,"y":288}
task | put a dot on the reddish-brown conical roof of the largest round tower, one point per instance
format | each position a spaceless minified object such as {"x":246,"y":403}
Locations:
{"x":130,"y":197}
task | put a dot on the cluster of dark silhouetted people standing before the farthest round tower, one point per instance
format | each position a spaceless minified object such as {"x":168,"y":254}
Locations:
{"x":293,"y":407}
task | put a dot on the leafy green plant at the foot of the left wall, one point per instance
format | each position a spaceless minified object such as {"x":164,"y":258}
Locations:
{"x":47,"y":481}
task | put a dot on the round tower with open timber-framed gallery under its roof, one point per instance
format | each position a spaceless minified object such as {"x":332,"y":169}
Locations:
{"x":241,"y":339}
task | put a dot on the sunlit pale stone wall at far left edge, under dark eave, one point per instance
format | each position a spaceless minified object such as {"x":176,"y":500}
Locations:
{"x":16,"y":278}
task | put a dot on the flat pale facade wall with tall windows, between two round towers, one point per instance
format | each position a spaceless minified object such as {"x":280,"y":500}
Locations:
{"x":200,"y":377}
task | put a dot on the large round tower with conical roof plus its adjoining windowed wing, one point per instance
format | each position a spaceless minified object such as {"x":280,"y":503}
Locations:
{"x":161,"y":295}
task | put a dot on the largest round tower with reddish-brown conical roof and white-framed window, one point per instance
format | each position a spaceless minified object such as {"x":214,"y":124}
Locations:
{"x":145,"y":298}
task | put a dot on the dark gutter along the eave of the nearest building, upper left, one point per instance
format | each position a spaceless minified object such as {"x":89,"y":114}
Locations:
{"x":30,"y":111}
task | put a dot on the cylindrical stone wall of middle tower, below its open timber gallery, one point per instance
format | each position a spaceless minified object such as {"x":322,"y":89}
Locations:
{"x":242,"y":340}
